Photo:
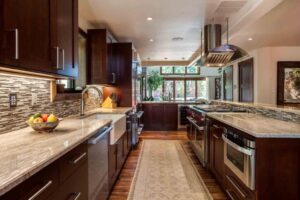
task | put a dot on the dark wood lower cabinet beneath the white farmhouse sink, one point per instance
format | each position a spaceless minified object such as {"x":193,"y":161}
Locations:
{"x":117,"y":155}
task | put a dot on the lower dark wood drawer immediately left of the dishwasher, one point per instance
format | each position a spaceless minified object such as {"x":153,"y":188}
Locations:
{"x":76,"y":187}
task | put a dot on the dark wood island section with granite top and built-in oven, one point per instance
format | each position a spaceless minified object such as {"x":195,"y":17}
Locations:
{"x":252,"y":155}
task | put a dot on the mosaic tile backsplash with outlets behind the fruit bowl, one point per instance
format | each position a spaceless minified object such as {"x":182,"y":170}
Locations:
{"x":14,"y":118}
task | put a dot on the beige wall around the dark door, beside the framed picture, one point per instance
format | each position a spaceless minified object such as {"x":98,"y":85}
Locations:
{"x":265,"y":71}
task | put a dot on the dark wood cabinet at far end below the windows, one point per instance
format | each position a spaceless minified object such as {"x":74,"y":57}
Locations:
{"x":160,"y":116}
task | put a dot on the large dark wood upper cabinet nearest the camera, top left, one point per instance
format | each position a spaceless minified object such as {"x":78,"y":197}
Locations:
{"x":39,"y":35}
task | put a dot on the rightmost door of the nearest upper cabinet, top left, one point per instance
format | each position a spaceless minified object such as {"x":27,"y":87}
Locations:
{"x":65,"y":36}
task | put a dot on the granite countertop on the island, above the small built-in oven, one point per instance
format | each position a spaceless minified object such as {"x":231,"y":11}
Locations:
{"x":258,"y":125}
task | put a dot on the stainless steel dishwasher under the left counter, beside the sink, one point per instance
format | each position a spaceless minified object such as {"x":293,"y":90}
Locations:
{"x":98,"y":164}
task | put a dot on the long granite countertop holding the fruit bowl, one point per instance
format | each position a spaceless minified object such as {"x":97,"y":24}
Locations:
{"x":25,"y":152}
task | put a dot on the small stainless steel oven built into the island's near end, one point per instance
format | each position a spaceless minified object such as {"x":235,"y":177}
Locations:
{"x":239,"y":156}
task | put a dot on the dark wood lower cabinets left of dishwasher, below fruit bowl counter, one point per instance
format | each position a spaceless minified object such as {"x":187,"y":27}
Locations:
{"x":48,"y":184}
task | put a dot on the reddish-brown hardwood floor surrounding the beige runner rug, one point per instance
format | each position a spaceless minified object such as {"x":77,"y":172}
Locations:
{"x":122,"y":186}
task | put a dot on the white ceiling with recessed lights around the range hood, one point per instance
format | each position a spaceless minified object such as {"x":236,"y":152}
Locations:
{"x":127,"y":20}
